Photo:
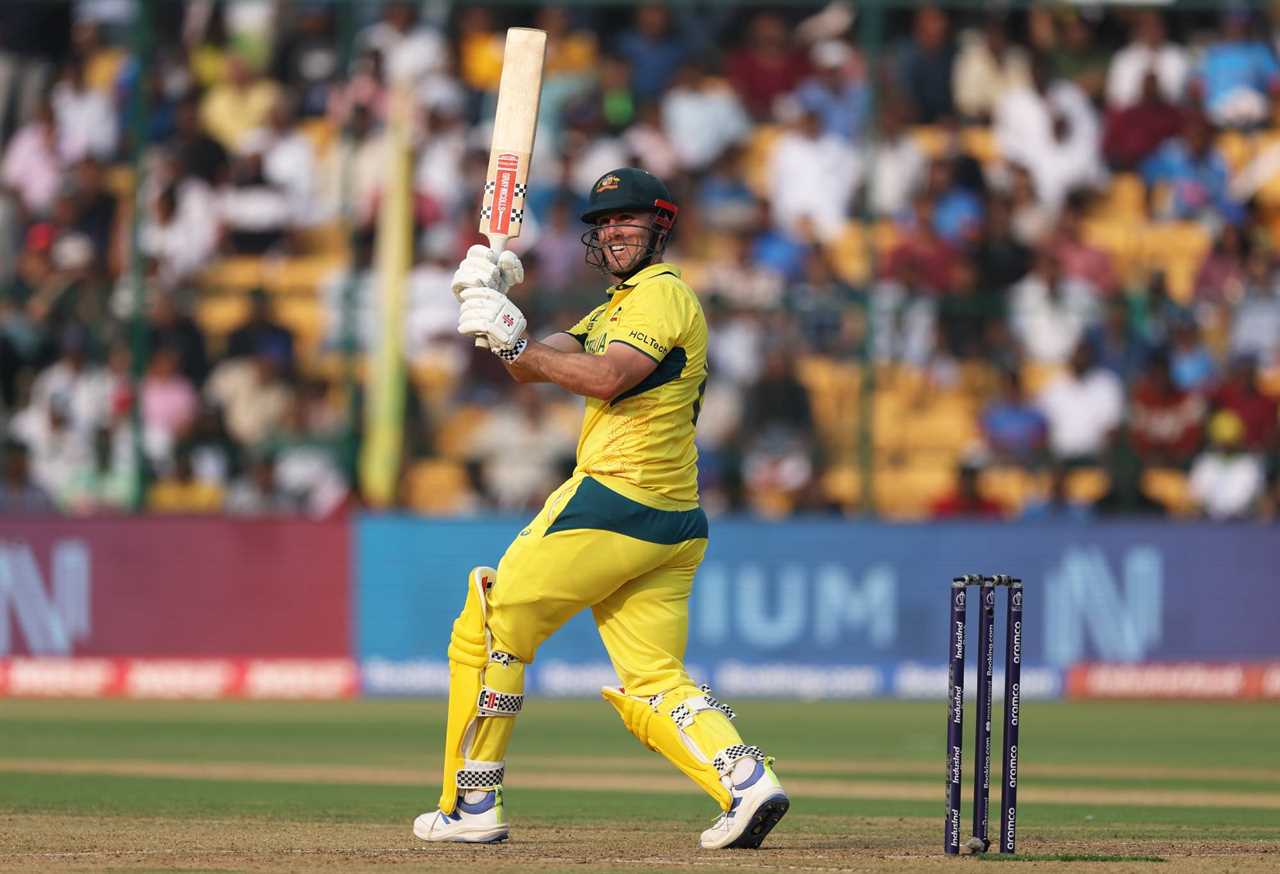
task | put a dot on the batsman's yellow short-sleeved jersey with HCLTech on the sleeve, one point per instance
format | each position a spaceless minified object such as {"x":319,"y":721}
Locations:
{"x":644,"y":438}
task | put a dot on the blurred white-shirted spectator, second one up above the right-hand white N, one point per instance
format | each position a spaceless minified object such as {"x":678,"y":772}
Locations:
{"x":1049,"y":314}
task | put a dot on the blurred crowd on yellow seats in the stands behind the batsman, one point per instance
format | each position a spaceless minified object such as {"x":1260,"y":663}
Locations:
{"x":917,"y":258}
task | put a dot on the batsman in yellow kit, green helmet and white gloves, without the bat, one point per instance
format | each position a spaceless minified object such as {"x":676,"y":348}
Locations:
{"x":623,"y":537}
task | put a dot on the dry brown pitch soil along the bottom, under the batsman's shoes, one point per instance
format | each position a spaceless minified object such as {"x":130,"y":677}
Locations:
{"x":85,"y":844}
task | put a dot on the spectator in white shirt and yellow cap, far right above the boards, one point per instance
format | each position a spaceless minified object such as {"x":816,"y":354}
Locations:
{"x":1227,"y":482}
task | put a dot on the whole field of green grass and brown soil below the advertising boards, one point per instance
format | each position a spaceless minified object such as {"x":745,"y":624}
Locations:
{"x":333,"y":786}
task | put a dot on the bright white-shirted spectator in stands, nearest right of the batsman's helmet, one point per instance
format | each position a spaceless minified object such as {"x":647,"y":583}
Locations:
{"x":812,"y":179}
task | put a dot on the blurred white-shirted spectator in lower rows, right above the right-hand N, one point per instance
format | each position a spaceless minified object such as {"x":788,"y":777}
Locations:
{"x":1082,"y":406}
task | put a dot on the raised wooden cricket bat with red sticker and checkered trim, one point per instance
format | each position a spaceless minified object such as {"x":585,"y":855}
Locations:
{"x":502,"y":209}
